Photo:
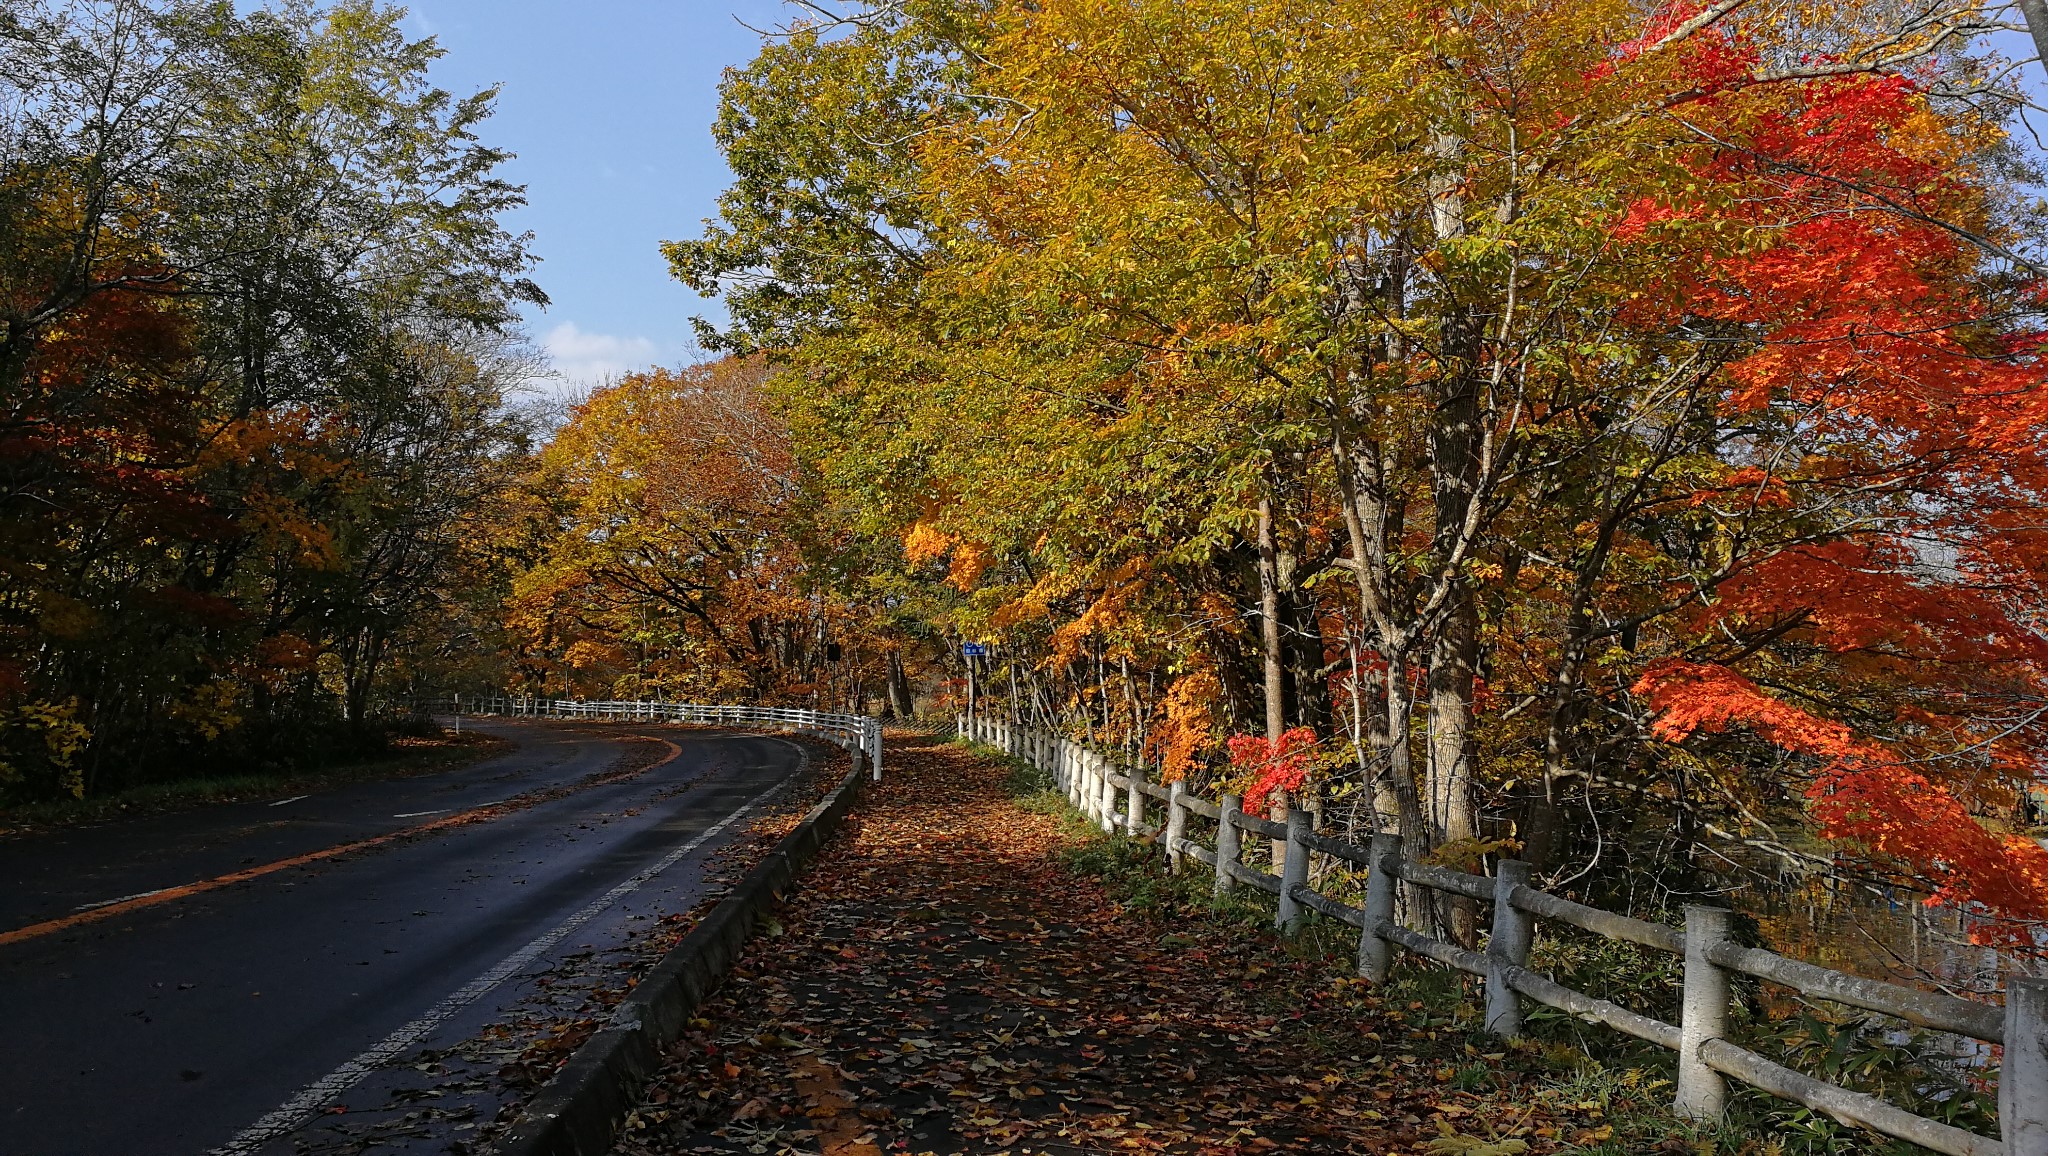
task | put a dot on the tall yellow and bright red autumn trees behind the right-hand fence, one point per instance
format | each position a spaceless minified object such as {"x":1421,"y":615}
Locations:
{"x":1541,"y":405}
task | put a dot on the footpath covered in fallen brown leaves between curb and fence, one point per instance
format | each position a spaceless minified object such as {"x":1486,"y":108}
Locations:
{"x":945,"y":985}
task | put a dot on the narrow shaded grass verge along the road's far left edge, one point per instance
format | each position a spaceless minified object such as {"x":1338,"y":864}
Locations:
{"x":407,"y":757}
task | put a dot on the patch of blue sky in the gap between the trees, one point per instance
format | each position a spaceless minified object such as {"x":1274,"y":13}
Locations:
{"x":609,"y":108}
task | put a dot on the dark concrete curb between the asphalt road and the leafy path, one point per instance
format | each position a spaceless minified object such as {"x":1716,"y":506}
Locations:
{"x":577,"y":1112}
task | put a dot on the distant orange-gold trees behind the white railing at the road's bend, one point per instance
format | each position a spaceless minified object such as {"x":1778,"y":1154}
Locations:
{"x":671,"y":550}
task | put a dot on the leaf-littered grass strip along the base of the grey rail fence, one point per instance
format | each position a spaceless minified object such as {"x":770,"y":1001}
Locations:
{"x":1615,"y":1087}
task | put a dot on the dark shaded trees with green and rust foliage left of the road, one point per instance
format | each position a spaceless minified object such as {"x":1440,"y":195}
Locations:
{"x":257,"y":331}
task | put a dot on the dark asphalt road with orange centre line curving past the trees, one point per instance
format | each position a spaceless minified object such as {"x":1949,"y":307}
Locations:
{"x":241,"y":1016}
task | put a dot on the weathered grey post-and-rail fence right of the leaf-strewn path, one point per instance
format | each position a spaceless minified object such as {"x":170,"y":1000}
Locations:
{"x":1121,"y":800}
